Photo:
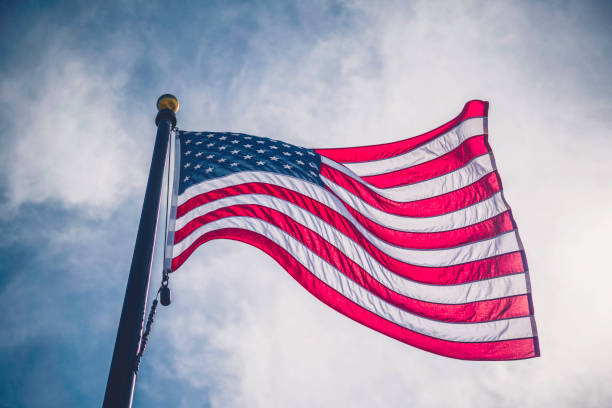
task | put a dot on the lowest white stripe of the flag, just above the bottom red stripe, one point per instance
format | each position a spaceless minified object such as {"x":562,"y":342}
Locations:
{"x":470,"y":332}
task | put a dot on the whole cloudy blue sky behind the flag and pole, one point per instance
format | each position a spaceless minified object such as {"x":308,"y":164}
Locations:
{"x":78,"y":87}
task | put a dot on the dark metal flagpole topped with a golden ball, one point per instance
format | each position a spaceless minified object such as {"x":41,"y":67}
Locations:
{"x":122,"y":374}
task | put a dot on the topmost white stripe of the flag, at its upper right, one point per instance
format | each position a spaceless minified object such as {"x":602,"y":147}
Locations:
{"x":428,"y":151}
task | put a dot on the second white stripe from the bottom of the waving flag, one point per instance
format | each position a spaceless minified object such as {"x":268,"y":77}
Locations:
{"x":446,"y":294}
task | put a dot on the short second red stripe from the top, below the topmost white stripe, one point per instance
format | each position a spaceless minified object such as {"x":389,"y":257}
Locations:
{"x":453,"y":160}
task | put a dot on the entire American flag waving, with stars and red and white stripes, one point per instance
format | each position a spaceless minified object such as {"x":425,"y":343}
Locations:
{"x":413,"y":239}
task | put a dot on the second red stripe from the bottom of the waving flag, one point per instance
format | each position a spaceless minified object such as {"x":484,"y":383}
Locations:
{"x":494,"y":309}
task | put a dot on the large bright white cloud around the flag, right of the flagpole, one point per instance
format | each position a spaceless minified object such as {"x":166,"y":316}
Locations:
{"x":402,"y":71}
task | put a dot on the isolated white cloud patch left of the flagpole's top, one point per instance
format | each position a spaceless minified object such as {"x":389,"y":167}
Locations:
{"x":71,"y":141}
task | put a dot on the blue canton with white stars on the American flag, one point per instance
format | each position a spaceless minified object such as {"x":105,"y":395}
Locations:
{"x":208,"y":155}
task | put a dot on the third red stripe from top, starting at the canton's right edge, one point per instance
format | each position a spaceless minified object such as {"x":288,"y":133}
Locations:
{"x":428,"y":207}
